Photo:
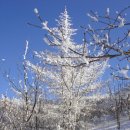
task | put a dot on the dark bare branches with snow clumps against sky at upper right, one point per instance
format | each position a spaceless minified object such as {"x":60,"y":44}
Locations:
{"x":111,"y":35}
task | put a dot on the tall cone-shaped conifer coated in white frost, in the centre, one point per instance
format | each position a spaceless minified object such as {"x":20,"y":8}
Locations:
{"x":70,"y":79}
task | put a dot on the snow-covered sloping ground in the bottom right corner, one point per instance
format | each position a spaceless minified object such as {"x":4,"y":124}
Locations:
{"x":111,"y":125}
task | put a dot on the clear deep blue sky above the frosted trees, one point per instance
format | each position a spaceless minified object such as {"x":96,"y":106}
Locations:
{"x":14,"y":14}
